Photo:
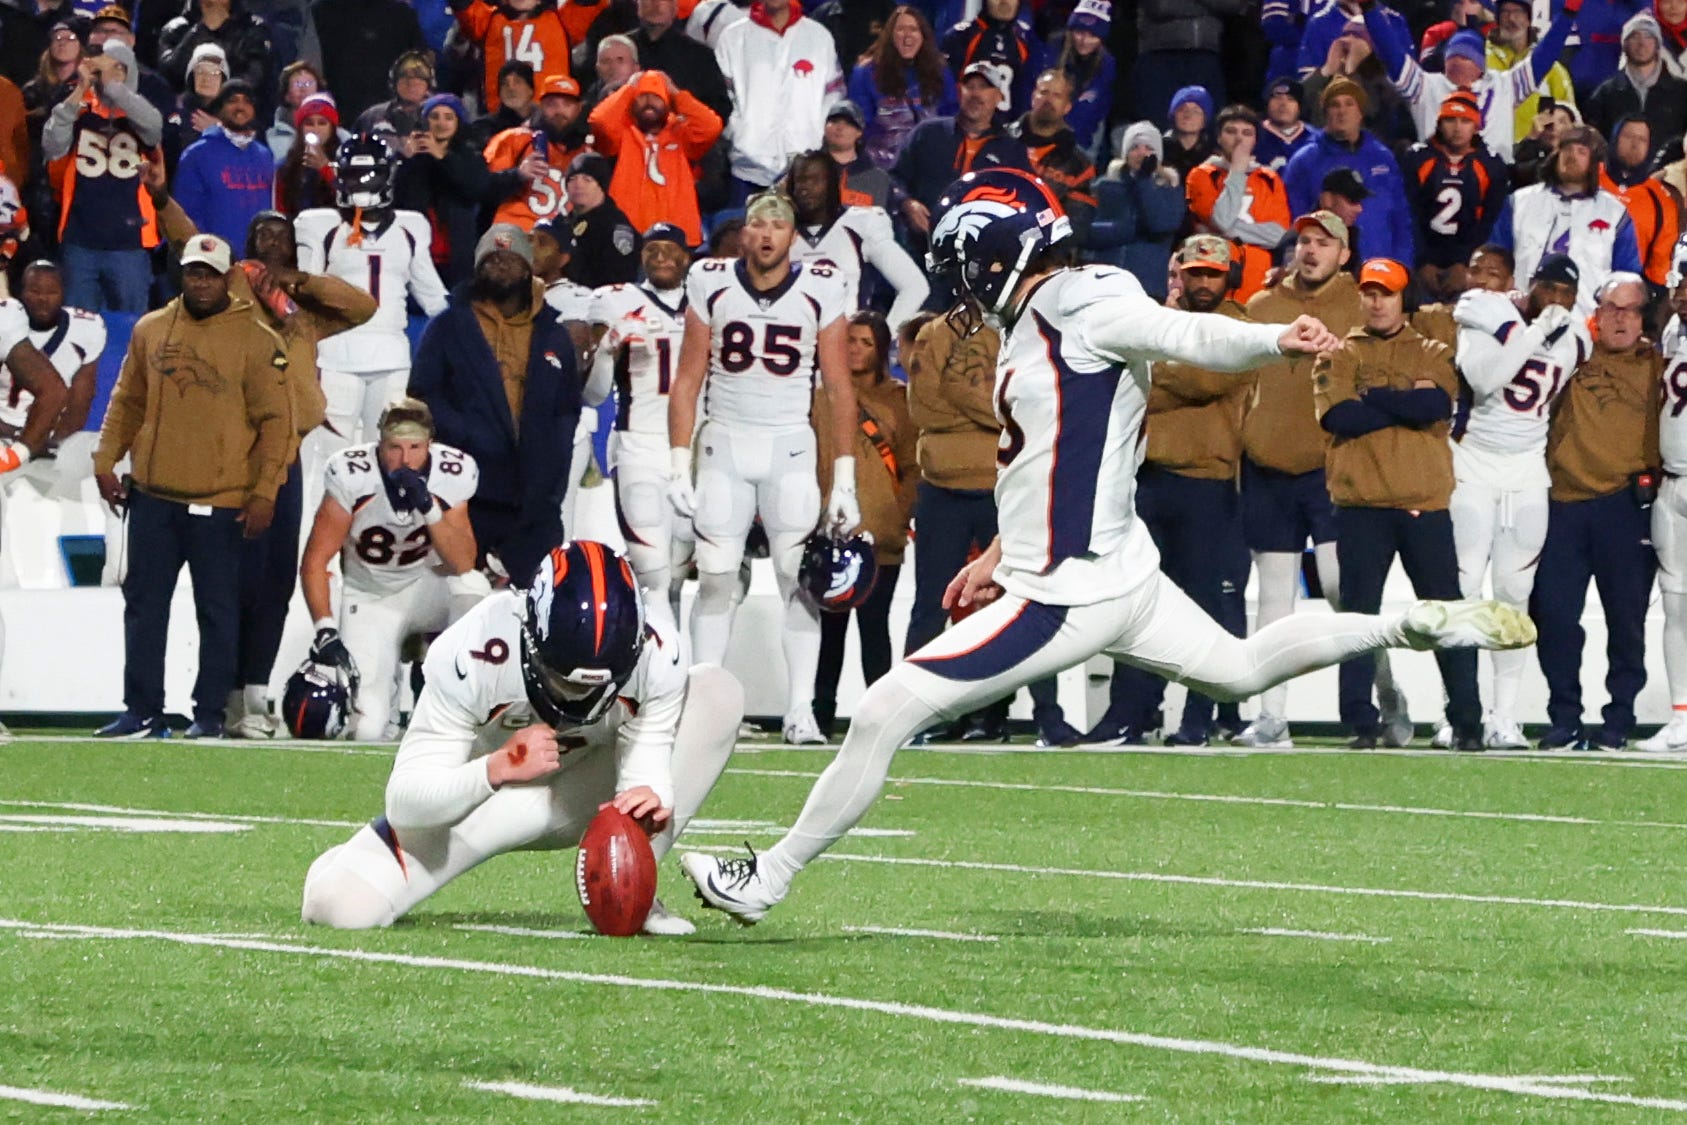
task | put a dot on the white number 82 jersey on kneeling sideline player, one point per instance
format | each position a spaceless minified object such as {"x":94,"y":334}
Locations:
{"x":387,"y":551}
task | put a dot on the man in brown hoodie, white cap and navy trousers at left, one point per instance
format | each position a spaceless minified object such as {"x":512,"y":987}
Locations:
{"x":203,"y":409}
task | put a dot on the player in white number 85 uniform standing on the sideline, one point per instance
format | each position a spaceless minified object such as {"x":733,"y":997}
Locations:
{"x":760,"y":330}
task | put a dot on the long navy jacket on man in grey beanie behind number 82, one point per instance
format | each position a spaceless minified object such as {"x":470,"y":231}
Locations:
{"x":522,"y":483}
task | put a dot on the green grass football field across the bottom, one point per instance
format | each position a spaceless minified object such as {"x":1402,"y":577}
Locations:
{"x":1482,"y":989}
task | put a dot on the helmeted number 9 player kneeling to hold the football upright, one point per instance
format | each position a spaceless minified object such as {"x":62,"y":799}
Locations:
{"x":541,"y":706}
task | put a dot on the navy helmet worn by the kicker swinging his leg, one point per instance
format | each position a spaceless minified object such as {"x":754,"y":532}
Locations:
{"x":989,"y":227}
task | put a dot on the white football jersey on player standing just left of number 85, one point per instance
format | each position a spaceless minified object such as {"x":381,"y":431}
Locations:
{"x":649,"y":323}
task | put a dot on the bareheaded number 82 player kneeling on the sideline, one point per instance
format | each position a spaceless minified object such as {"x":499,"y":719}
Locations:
{"x":397,"y":517}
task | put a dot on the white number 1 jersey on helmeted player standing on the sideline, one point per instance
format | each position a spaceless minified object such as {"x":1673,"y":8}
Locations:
{"x":392,"y":264}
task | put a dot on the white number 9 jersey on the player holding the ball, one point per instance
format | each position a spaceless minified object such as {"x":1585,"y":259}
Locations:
{"x":475,"y":701}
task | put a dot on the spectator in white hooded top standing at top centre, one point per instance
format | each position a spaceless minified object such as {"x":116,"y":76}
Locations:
{"x":784,"y":73}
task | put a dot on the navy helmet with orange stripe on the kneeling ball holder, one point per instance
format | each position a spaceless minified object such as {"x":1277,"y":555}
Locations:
{"x":583,"y":633}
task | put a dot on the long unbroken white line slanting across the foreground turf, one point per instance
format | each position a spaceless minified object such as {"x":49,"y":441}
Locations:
{"x":1499,"y":1084}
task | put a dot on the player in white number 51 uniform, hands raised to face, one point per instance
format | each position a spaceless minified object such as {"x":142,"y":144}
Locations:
{"x":1512,"y":372}
